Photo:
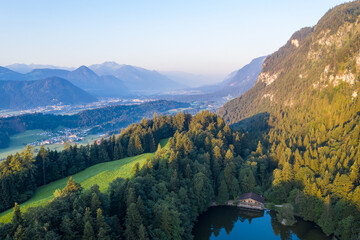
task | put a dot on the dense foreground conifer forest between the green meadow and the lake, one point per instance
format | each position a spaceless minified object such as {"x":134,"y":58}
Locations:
{"x":203,"y":163}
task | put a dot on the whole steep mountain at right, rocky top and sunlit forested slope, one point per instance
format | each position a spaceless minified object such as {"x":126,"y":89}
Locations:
{"x":308,"y":93}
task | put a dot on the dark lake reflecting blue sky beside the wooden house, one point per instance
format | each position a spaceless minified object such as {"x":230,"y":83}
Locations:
{"x":234,"y":223}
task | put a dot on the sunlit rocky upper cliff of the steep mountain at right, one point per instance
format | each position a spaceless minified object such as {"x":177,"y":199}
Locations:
{"x":315,"y":61}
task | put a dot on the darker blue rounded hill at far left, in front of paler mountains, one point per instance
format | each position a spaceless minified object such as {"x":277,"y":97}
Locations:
{"x":49,"y":91}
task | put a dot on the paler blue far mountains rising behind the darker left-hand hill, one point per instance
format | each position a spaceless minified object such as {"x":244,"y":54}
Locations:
{"x":103,"y":80}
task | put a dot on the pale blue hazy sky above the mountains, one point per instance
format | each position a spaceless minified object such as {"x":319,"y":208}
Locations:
{"x":202,"y":37}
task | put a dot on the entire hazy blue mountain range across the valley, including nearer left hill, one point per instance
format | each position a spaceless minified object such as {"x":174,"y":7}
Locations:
{"x":111,"y":79}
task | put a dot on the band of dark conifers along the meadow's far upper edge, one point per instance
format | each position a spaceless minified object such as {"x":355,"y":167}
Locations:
{"x":21,"y":174}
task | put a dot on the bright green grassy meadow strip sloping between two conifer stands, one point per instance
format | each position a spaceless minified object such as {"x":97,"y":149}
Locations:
{"x":101,"y":174}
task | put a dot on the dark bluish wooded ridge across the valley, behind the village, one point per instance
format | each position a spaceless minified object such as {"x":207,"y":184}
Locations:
{"x":105,"y":118}
